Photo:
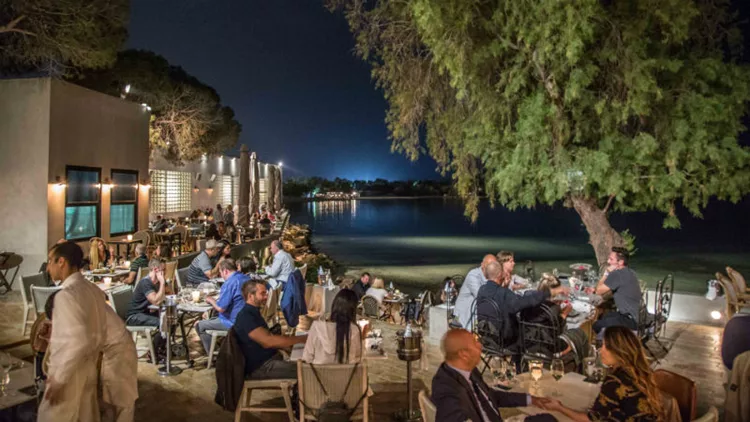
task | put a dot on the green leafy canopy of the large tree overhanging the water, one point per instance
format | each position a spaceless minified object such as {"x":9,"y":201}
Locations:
{"x":600,"y":105}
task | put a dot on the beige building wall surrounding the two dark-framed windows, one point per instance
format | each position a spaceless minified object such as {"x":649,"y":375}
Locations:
{"x":91,"y":129}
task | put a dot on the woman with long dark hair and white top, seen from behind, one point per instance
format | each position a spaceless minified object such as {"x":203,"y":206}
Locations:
{"x":339,"y":339}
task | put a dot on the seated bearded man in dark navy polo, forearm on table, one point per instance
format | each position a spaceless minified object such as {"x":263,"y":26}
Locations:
{"x":259,"y":346}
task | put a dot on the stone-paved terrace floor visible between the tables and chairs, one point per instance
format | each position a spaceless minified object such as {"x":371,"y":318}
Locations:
{"x":694,"y":352}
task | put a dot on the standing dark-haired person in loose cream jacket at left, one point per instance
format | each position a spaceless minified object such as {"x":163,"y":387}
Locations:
{"x":85,"y":329}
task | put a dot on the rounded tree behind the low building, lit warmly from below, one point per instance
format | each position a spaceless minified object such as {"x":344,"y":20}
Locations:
{"x":187,"y":120}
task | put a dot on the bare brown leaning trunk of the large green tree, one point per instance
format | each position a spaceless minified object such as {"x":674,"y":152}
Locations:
{"x":602,"y":236}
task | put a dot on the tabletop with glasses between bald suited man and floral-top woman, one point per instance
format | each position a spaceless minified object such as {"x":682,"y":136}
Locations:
{"x":573,"y":391}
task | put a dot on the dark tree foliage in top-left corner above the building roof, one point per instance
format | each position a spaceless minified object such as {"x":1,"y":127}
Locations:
{"x":60,"y":37}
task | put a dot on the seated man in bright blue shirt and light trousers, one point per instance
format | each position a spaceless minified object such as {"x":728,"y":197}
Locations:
{"x":230,"y":303}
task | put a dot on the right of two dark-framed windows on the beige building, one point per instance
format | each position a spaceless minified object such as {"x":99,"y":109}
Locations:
{"x":123,"y":212}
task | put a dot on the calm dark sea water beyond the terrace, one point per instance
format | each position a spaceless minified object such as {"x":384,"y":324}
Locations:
{"x":422,"y":240}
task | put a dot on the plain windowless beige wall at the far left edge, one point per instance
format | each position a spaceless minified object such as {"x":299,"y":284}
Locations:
{"x":24,"y":130}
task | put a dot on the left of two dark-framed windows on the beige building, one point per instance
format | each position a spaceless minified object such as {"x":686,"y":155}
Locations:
{"x":82,"y":202}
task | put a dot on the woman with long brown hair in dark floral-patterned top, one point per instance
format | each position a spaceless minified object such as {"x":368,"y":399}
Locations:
{"x":629,"y":391}
